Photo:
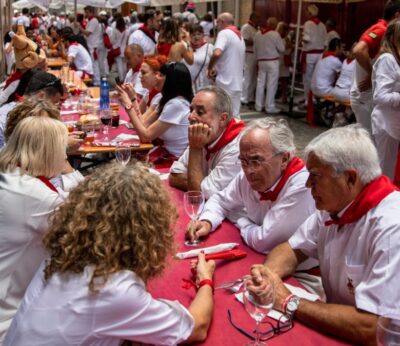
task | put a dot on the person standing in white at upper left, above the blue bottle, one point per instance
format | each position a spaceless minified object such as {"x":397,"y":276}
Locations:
{"x":94,"y":38}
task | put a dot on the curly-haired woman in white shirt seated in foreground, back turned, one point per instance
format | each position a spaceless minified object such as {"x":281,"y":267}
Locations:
{"x":105,"y":242}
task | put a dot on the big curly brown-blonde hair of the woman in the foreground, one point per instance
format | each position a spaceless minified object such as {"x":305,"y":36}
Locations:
{"x":119,"y":218}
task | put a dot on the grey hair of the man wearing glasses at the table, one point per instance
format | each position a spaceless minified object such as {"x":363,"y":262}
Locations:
{"x":282,"y":138}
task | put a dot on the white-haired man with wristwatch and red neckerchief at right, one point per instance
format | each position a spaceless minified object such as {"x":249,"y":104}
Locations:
{"x":355,"y":235}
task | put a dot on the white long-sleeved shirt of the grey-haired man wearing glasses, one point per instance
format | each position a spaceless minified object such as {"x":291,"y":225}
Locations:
{"x":267,"y":223}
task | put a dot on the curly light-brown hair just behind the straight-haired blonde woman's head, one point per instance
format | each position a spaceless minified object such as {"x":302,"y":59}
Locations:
{"x":32,"y":106}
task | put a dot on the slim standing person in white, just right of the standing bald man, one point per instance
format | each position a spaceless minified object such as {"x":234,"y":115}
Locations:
{"x":248,"y":31}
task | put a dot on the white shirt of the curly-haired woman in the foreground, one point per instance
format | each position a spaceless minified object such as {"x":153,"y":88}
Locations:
{"x":61,"y":311}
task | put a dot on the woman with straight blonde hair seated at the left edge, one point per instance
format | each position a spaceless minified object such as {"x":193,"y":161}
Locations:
{"x":35,"y":153}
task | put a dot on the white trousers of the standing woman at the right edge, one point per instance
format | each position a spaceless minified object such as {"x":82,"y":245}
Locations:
{"x":387,"y":147}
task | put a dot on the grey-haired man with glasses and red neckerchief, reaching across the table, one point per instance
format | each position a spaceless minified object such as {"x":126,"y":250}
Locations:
{"x":270,"y":192}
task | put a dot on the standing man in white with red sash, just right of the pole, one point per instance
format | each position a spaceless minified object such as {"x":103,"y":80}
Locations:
{"x":314,"y":34}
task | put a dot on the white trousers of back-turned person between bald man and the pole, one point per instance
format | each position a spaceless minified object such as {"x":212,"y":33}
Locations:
{"x":268,"y":75}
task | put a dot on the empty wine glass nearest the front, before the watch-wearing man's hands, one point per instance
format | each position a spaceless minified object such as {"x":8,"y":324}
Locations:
{"x":258,"y":301}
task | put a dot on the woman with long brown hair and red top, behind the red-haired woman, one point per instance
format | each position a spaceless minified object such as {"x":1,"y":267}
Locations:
{"x":171,"y":46}
